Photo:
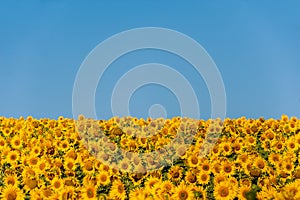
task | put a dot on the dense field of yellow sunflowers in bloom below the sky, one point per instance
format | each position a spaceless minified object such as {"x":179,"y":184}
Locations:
{"x":130,"y":158}
